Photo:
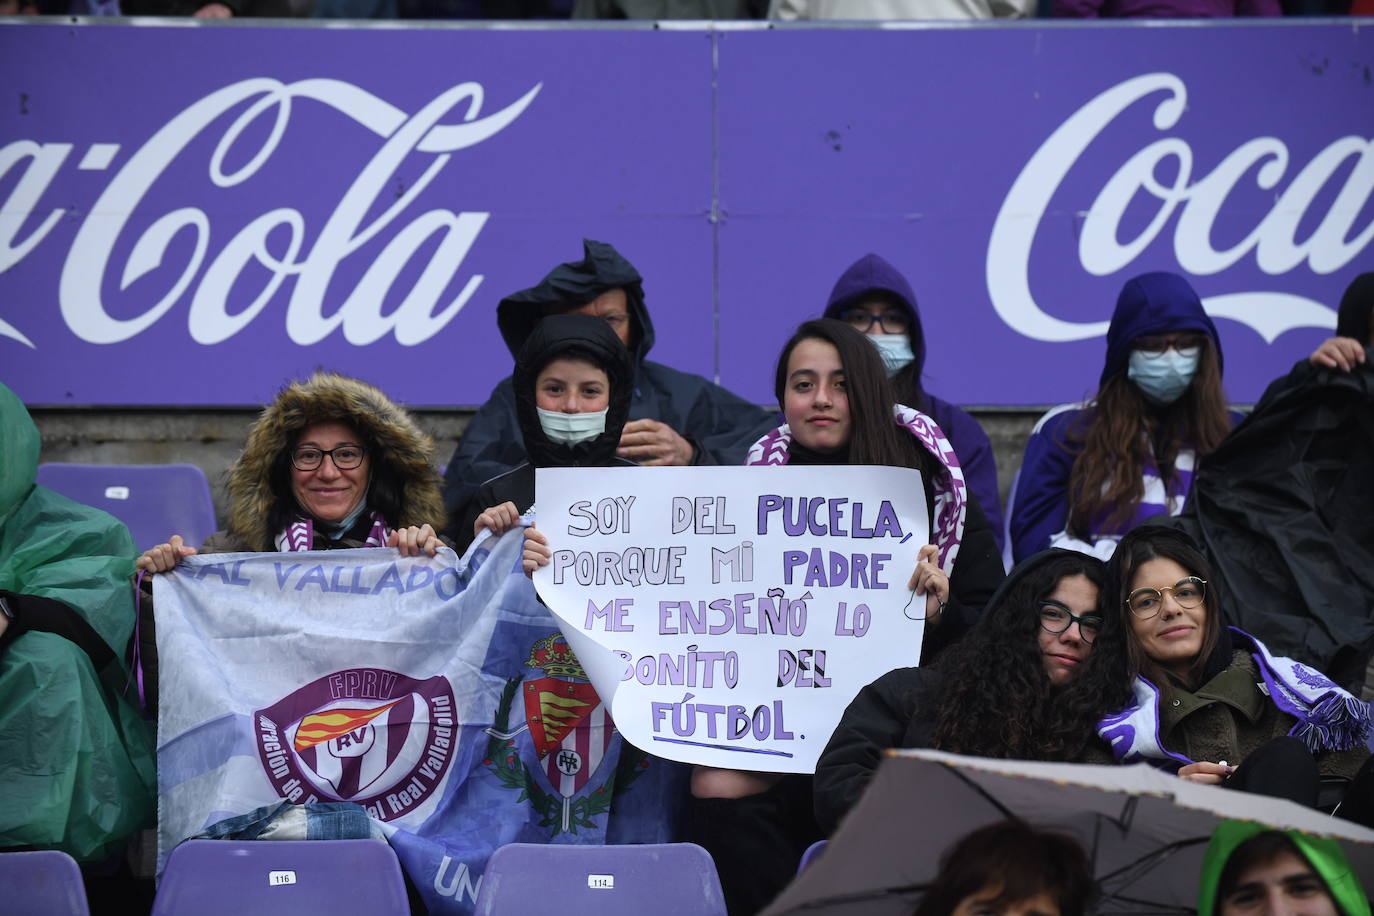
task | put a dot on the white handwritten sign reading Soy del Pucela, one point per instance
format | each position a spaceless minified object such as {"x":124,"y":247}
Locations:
{"x":728,"y":616}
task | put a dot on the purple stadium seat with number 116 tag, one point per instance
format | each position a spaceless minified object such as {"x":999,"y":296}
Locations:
{"x":303,"y":878}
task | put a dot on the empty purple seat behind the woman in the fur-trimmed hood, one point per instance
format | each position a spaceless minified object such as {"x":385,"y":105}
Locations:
{"x":153,"y":501}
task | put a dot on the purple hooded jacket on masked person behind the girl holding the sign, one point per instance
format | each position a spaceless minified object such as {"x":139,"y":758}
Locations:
{"x":873,"y":278}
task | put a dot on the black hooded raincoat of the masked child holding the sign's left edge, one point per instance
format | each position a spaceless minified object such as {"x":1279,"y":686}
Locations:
{"x":559,"y":336}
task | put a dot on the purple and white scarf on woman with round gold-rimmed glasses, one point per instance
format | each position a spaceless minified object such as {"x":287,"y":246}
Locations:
{"x":1328,"y":718}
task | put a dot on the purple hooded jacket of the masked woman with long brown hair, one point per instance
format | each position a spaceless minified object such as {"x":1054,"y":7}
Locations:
{"x":1039,"y":505}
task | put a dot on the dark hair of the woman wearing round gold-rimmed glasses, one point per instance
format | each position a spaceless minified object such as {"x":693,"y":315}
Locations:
{"x":1137,"y":549}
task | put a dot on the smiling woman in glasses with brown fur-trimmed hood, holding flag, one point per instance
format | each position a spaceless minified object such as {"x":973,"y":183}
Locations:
{"x":332,"y":463}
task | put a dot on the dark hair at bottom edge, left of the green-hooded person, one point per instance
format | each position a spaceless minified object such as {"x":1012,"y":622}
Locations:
{"x":1019,"y":863}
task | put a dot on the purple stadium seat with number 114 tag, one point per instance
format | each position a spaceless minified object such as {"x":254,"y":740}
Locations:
{"x":668,"y":880}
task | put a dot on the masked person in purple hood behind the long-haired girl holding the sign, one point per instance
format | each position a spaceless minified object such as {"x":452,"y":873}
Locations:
{"x":876,"y":299}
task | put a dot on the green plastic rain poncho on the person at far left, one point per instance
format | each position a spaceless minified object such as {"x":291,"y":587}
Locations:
{"x":76,"y":760}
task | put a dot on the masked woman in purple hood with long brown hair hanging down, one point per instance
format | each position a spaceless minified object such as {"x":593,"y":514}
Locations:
{"x":1092,"y":473}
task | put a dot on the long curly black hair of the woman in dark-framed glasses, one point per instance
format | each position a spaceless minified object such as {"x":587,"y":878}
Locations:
{"x":994,"y":697}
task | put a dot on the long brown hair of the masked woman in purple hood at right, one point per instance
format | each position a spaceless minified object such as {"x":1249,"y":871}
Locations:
{"x":1107,"y":483}
